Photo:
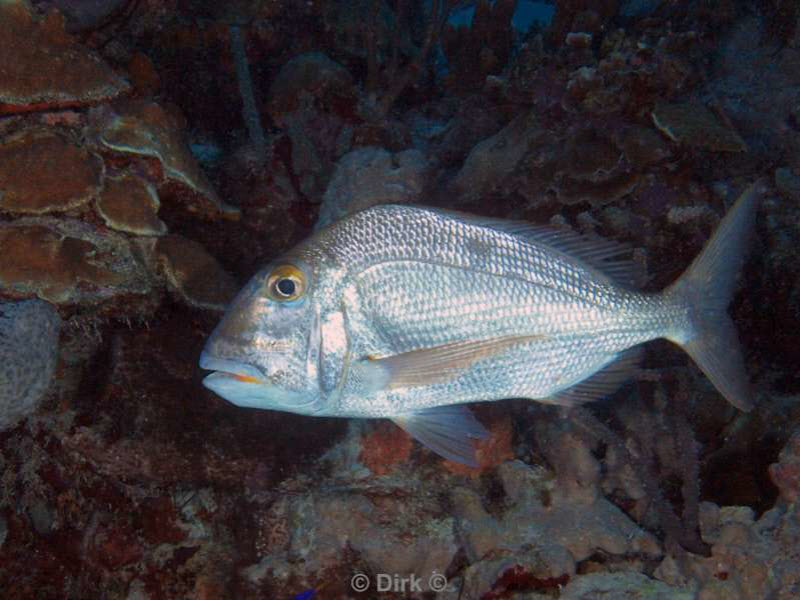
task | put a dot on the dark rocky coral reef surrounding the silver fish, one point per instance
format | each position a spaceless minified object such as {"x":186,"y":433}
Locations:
{"x":146,"y":172}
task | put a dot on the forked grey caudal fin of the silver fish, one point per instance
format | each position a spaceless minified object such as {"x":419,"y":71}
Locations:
{"x":708,"y":285}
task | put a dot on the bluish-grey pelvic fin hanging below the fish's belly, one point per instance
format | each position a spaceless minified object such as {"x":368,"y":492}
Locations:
{"x":447,"y":430}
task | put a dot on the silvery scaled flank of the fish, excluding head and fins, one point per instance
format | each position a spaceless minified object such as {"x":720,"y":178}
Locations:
{"x":427,"y":280}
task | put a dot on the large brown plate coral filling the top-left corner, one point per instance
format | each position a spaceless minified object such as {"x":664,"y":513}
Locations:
{"x":45,"y":68}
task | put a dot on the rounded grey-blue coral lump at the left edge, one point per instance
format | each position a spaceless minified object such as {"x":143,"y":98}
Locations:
{"x":29,"y":332}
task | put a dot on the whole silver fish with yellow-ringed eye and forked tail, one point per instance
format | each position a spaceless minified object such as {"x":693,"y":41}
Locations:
{"x":409,"y":313}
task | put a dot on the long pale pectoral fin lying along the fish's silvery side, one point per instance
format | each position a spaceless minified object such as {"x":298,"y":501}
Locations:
{"x":428,"y":366}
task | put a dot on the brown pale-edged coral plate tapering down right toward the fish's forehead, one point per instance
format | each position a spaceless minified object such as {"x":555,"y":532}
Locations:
{"x":144,"y":128}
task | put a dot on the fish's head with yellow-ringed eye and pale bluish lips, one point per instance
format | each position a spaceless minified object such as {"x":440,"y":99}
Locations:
{"x":265,"y":351}
